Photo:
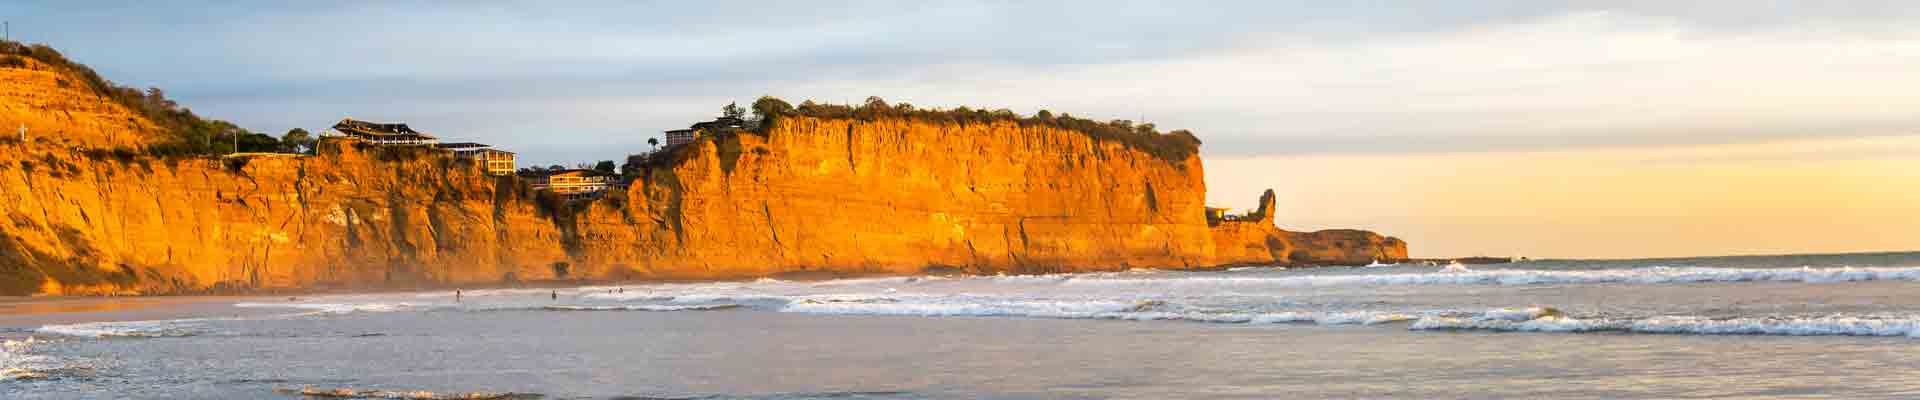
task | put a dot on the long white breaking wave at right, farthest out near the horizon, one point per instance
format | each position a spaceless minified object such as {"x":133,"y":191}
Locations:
{"x":1462,"y":276}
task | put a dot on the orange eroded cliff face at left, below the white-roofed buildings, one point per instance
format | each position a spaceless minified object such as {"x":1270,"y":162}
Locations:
{"x":84,"y":226}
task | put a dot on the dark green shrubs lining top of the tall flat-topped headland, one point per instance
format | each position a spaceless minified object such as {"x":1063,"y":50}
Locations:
{"x":1174,"y":147}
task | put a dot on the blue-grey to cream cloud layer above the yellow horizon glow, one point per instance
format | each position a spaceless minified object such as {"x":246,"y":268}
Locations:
{"x":581,"y":82}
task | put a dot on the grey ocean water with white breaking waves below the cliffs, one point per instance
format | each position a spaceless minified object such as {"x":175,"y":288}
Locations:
{"x":1844,"y":326}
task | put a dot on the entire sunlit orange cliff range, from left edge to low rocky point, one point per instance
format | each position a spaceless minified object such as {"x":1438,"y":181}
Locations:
{"x":809,"y":195}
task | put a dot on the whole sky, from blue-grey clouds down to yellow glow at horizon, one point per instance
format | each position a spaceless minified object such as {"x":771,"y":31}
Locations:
{"x":1476,"y":128}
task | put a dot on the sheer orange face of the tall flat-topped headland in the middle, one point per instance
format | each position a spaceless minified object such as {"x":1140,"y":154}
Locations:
{"x":901,"y":197}
